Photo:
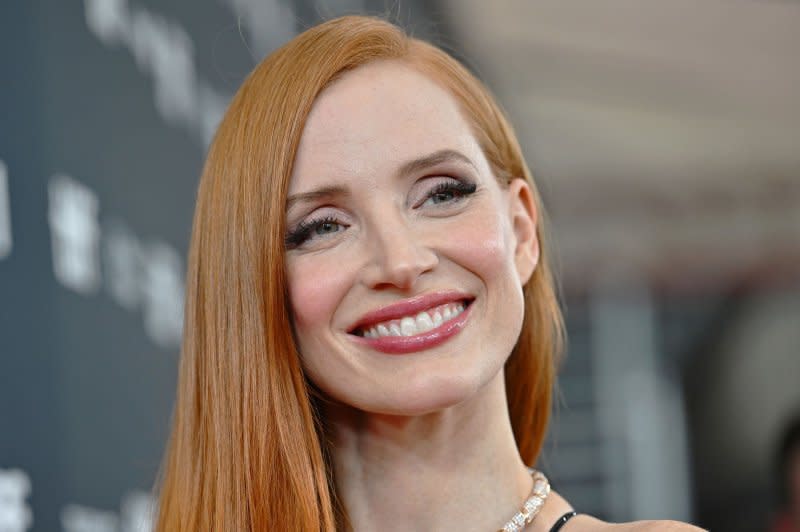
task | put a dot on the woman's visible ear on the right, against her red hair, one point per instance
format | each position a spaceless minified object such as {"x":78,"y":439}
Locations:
{"x":523,"y":215}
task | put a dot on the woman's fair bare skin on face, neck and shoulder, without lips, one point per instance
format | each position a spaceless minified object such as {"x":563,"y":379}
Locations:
{"x":421,"y":441}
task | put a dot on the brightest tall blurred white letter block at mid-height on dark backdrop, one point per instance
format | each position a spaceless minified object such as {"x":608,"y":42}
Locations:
{"x":72,"y":215}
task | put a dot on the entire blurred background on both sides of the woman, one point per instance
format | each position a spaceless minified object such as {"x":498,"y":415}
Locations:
{"x":664,"y":136}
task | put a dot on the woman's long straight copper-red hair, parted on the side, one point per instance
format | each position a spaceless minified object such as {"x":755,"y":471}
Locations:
{"x":246,"y":451}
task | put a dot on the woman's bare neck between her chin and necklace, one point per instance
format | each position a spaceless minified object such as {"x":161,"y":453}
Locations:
{"x":454,"y":469}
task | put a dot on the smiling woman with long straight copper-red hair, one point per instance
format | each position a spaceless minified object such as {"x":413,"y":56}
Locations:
{"x":371,"y":327}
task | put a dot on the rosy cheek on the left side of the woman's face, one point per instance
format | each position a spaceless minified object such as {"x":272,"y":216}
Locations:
{"x":315,"y":288}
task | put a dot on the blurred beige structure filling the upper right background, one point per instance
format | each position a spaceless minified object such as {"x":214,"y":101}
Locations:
{"x":665,"y":134}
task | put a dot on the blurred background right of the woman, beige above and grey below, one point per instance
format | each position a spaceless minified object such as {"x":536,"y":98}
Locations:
{"x":665,"y":136}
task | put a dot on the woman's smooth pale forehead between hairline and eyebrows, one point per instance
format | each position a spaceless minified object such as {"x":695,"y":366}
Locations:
{"x":373,"y":119}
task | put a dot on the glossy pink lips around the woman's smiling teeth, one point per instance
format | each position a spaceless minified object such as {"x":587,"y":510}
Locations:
{"x":409,"y":344}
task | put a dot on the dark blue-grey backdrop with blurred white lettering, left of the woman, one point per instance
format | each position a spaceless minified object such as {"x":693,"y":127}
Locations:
{"x":106,"y":108}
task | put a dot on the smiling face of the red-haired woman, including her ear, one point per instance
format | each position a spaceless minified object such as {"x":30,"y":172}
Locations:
{"x":405,"y":257}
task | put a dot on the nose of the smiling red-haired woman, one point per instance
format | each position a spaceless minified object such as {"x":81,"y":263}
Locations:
{"x":397,"y":255}
